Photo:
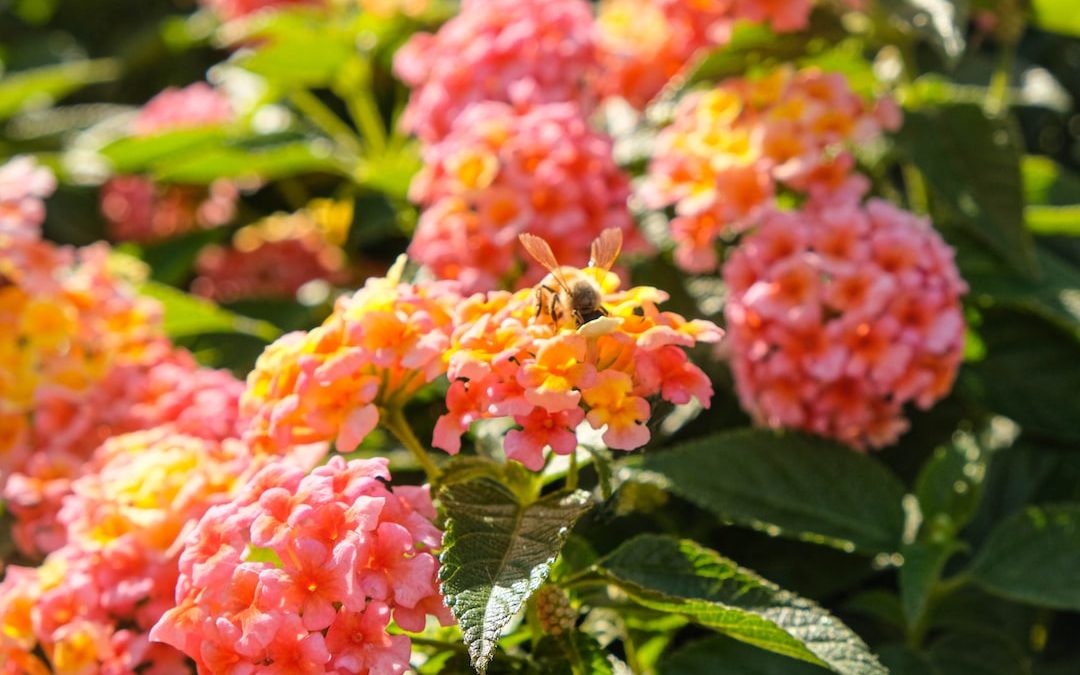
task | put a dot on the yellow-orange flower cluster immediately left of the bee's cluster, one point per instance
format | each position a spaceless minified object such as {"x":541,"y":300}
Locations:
{"x":377,"y":350}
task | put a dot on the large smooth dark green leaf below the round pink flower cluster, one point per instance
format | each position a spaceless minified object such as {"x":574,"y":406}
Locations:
{"x":804,"y":488}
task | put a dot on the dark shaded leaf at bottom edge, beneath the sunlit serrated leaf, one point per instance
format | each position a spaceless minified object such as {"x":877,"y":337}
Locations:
{"x":723,"y":656}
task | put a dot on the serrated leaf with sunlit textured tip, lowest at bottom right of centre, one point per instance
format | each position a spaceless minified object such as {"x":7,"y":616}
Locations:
{"x":684,"y":578}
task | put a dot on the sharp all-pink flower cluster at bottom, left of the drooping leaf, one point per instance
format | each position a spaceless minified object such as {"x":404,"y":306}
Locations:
{"x":303,"y":574}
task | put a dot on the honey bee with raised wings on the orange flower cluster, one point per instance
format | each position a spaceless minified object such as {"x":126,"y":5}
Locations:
{"x":568,"y":290}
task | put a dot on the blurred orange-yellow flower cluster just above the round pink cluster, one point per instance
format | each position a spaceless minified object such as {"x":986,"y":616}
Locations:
{"x":731,"y":148}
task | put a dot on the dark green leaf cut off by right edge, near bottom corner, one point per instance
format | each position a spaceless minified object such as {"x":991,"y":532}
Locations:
{"x":1034,"y":557}
